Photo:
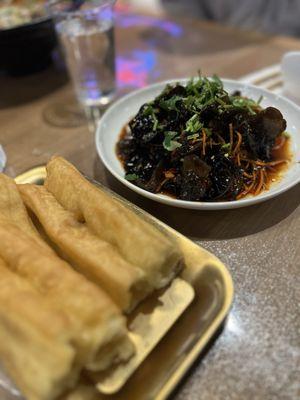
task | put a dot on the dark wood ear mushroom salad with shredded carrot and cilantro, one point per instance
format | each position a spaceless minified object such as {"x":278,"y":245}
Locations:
{"x":199,"y":143}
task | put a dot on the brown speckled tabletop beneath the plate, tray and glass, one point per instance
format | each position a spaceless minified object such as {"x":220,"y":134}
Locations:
{"x":257,"y":355}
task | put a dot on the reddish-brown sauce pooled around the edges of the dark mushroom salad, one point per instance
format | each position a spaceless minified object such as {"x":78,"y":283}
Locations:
{"x":281,"y":151}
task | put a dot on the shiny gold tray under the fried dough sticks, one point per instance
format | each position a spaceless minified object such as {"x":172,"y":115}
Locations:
{"x":169,"y":361}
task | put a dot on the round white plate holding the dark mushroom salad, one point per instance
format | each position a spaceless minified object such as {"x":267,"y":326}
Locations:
{"x":120,"y":113}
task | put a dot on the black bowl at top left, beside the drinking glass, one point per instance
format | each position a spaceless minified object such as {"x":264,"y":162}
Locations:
{"x":27,"y":48}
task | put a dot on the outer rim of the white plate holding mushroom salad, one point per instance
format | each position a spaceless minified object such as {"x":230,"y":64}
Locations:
{"x":214,"y":205}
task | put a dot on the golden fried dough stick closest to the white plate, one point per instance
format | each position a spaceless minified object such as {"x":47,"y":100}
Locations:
{"x":139,"y":242}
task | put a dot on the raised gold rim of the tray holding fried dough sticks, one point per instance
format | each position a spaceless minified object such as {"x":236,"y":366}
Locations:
{"x":178,"y":374}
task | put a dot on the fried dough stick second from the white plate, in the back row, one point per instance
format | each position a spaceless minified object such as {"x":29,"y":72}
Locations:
{"x":96,"y":259}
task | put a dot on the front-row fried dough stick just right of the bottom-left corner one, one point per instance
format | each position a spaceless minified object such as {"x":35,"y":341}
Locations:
{"x":96,"y":322}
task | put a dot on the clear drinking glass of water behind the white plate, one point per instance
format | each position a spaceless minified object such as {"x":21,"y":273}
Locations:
{"x":86,"y":31}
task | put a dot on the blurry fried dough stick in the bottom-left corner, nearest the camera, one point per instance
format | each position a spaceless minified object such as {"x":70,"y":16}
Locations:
{"x":35,"y":340}
